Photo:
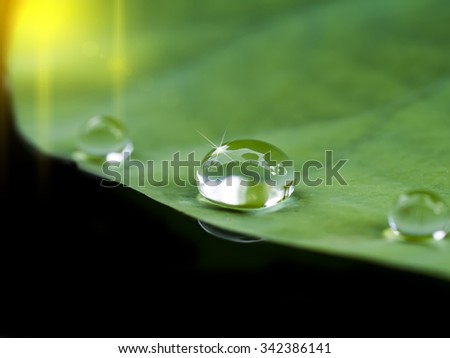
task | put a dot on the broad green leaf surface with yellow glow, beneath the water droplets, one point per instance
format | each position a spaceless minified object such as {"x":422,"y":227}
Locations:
{"x":366,"y":79}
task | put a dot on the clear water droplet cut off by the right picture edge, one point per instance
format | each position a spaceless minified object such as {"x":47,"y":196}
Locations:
{"x":419,"y":214}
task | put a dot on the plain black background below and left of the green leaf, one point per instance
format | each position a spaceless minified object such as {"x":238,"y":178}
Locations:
{"x":79,"y":260}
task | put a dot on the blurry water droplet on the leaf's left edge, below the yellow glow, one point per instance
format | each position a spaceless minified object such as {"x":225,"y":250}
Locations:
{"x":104,"y":137}
